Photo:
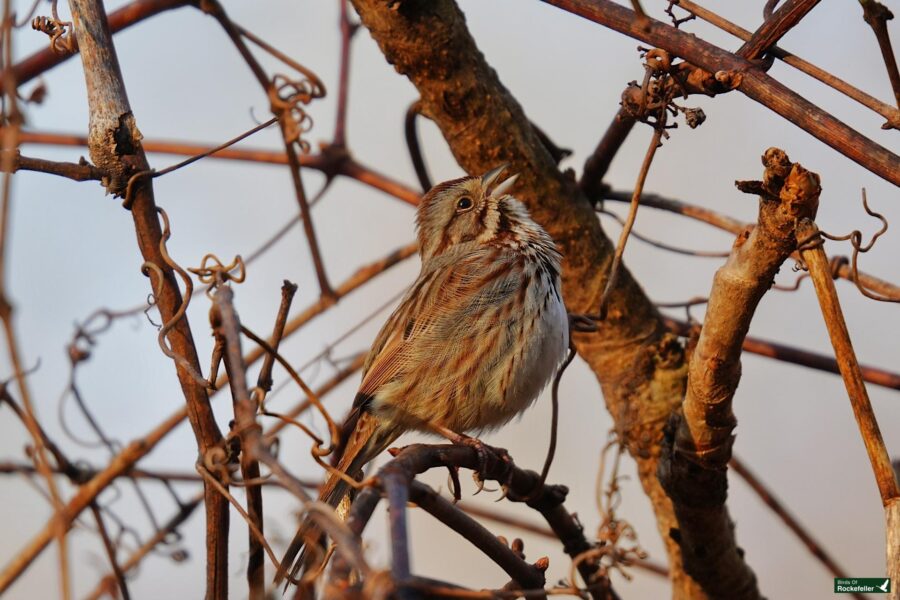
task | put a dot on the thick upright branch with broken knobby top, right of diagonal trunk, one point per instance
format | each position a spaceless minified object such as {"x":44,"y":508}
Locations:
{"x":693,"y":469}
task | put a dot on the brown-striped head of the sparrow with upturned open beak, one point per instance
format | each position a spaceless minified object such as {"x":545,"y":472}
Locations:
{"x":465,"y":210}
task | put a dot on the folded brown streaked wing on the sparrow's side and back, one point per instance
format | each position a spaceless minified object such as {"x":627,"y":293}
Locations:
{"x":454,"y":302}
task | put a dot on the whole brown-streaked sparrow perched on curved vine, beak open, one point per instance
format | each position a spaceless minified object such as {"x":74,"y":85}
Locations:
{"x":475,"y":339}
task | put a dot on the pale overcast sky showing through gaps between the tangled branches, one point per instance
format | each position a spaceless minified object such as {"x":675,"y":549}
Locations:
{"x":72,"y":250}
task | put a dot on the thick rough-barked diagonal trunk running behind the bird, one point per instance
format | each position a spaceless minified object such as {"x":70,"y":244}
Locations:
{"x":640,"y":367}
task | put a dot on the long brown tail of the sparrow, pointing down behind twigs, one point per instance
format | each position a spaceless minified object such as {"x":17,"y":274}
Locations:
{"x":365,"y":441}
